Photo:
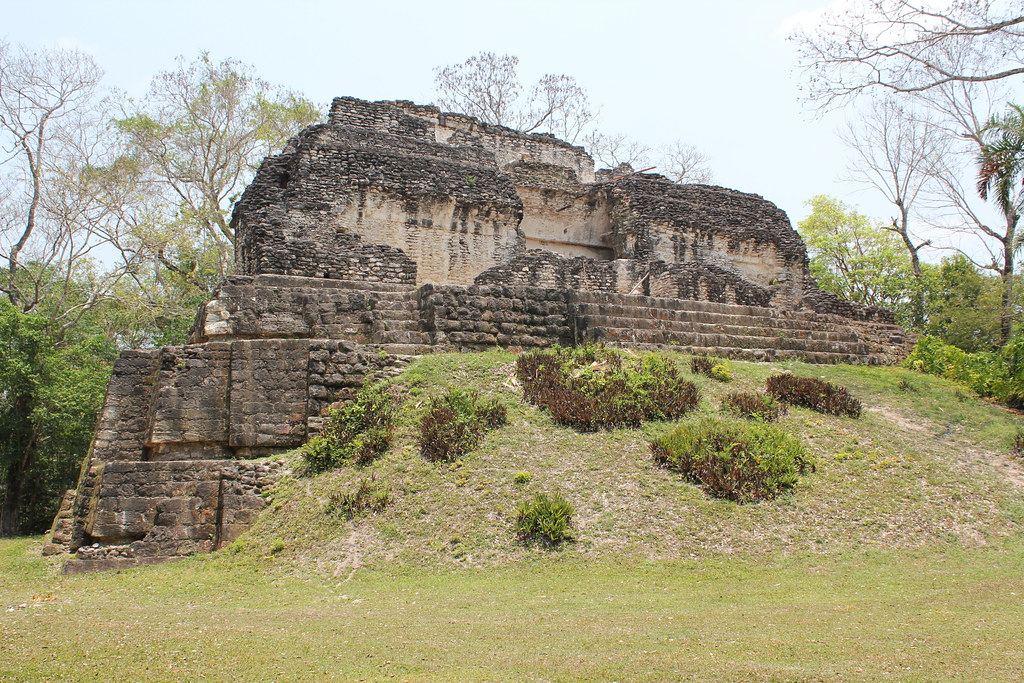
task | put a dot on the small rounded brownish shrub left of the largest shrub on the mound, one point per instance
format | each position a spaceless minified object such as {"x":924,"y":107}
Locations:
{"x":456,"y":422}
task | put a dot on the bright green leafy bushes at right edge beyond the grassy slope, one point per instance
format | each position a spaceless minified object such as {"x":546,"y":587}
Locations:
{"x":1000,"y":375}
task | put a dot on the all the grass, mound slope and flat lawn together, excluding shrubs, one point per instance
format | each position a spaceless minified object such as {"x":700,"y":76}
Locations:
{"x":901,"y":559}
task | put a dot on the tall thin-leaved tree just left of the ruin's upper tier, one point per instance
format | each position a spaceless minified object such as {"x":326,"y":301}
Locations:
{"x":198,"y":138}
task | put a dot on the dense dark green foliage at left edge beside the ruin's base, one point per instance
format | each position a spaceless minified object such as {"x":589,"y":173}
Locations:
{"x":50,"y":399}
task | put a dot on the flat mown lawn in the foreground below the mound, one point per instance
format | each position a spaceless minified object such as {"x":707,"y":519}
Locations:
{"x":935,"y":614}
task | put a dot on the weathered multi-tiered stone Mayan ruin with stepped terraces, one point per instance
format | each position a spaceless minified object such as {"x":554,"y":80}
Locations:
{"x":397,"y":230}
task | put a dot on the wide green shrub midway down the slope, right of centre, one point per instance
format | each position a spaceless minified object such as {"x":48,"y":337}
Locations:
{"x":734,"y":460}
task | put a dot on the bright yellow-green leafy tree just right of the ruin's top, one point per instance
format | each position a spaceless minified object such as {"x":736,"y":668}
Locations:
{"x":857,"y":260}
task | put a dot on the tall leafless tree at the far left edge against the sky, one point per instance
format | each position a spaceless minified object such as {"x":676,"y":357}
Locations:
{"x":57,"y":221}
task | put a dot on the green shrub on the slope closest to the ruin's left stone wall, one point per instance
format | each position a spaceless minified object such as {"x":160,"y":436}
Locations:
{"x":358,"y":433}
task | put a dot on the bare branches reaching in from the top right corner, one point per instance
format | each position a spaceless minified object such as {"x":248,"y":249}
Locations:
{"x":911,"y":47}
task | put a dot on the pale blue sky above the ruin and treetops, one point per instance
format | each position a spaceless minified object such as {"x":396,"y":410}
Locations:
{"x":718,"y":75}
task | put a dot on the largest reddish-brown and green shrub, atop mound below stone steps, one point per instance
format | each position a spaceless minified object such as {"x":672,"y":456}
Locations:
{"x":593,"y":388}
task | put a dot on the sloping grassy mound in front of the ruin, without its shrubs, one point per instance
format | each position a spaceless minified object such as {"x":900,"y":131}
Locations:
{"x":925,"y":464}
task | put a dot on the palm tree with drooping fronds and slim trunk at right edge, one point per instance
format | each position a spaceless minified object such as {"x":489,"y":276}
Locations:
{"x":1001,"y":173}
